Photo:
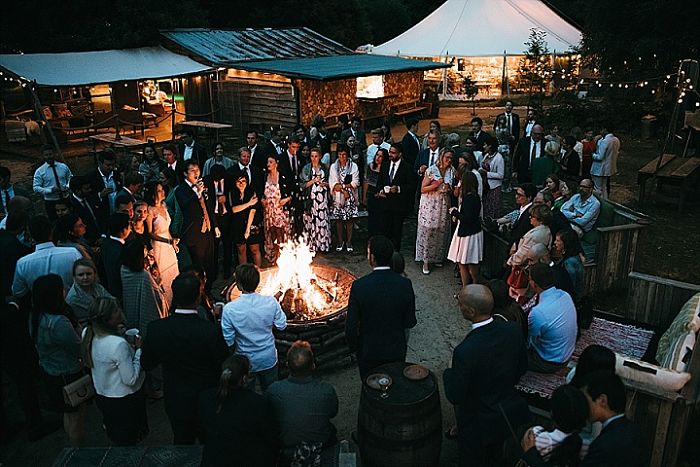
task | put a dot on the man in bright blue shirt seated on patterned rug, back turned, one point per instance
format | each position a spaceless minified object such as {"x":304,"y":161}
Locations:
{"x":551,"y":323}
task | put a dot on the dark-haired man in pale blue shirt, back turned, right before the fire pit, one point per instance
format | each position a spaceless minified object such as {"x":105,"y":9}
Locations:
{"x":247,"y":324}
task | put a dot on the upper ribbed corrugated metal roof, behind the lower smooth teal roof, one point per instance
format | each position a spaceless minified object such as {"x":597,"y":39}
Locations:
{"x":223,"y":47}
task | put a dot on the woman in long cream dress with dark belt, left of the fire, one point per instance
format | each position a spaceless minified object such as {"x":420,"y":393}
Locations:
{"x":165,"y":247}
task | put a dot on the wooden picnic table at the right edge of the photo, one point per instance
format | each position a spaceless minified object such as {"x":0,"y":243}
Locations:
{"x":674,"y":170}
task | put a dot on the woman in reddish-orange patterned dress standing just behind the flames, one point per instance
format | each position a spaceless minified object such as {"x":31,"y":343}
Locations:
{"x":276,"y":198}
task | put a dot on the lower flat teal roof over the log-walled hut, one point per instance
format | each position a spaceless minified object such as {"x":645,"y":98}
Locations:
{"x":339,"y":66}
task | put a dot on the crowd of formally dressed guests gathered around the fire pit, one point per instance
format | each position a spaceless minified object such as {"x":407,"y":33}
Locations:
{"x":136,"y":247}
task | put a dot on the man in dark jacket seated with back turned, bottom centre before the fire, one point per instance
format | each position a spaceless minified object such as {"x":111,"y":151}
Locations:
{"x":304,"y":408}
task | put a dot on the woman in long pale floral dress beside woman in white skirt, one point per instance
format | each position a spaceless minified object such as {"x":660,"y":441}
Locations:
{"x":433,"y":230}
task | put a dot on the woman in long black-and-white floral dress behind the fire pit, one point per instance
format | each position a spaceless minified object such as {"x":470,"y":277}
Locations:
{"x":314,"y":183}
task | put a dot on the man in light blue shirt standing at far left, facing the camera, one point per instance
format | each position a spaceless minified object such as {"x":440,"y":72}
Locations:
{"x":51,"y":180}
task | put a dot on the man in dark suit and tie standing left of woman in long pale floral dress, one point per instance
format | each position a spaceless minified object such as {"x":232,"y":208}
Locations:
{"x":395,"y":188}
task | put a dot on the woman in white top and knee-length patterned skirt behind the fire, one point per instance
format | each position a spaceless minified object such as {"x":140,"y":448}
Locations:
{"x":344,"y":178}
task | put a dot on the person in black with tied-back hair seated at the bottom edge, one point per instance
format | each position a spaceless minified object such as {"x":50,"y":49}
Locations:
{"x":239,"y":423}
